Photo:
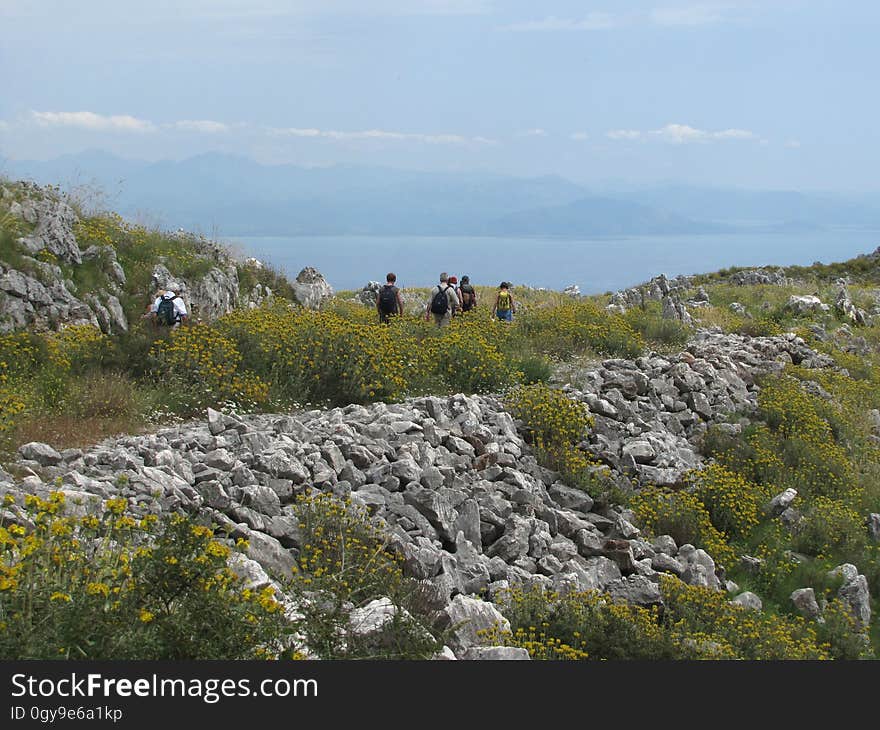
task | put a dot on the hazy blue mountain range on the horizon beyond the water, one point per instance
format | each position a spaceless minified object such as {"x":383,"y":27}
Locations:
{"x":225,"y":195}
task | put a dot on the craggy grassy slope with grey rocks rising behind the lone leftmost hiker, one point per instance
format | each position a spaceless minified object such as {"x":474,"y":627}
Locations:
{"x":59,"y":268}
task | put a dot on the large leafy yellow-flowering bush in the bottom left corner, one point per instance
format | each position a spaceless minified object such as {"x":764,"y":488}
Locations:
{"x":109,"y":586}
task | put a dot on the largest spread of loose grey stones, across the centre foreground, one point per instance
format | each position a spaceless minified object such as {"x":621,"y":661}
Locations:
{"x":448,"y":479}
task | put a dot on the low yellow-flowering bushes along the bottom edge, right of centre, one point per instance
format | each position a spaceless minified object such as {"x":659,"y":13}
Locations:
{"x":695,"y":623}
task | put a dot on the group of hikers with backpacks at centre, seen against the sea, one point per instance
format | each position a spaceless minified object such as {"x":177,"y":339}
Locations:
{"x":447,"y":300}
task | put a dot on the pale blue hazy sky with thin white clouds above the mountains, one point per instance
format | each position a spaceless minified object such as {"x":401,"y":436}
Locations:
{"x":769,"y":94}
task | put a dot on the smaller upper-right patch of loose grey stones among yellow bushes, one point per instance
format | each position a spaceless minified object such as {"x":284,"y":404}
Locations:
{"x":651,"y":413}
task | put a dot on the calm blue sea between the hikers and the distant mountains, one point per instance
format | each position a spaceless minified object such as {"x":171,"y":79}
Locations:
{"x":595,"y":265}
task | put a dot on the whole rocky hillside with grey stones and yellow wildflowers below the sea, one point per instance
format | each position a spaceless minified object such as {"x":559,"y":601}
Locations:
{"x":692,"y":462}
